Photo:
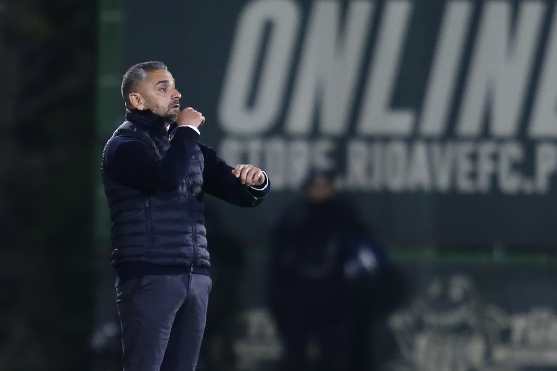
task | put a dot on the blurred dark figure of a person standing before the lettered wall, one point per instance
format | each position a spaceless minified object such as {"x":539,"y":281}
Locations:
{"x":324,"y":278}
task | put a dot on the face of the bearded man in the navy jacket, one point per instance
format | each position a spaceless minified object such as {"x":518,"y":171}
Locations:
{"x":157,"y":93}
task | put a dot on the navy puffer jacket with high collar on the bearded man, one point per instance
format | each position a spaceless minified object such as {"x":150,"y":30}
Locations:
{"x":155,"y":176}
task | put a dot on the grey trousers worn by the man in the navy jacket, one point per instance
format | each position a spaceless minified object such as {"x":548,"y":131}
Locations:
{"x":163,"y":320}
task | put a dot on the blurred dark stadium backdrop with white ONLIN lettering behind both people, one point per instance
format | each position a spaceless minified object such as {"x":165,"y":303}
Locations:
{"x":439,"y":118}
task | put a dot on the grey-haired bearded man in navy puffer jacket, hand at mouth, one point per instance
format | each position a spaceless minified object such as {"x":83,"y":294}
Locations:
{"x":155,"y":174}
